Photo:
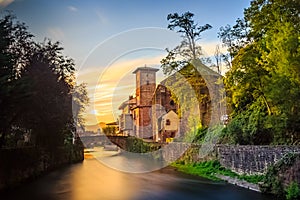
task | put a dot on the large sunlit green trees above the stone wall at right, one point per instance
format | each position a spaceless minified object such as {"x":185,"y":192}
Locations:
{"x":264,"y":79}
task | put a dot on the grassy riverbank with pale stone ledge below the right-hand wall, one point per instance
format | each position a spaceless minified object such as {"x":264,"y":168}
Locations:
{"x":214,"y":171}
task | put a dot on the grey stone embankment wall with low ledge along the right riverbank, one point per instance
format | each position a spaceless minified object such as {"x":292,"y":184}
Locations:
{"x":241,"y":159}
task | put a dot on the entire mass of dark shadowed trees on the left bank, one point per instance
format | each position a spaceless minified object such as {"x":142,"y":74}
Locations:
{"x":37,"y":83}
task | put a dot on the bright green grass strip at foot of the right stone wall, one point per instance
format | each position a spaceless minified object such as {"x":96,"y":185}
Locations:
{"x":209,"y":169}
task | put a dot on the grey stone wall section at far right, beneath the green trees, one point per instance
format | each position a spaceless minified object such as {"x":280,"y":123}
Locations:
{"x":251,"y":159}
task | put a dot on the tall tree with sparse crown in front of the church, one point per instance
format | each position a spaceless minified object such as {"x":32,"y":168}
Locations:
{"x":189,"y":90}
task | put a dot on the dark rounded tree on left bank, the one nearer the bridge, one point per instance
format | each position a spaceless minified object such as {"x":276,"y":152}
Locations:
{"x":48,"y":106}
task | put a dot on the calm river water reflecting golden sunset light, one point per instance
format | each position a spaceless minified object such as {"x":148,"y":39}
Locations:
{"x":91,"y":180}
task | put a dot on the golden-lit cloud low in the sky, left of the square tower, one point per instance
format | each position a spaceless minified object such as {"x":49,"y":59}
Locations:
{"x":109,"y":87}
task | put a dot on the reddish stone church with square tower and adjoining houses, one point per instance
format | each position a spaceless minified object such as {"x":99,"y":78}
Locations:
{"x":153,"y":114}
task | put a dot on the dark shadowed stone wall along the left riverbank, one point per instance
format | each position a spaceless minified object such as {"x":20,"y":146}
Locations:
{"x":23,"y":164}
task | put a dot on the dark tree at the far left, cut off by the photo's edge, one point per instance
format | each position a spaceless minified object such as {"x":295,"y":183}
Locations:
{"x":15,"y":45}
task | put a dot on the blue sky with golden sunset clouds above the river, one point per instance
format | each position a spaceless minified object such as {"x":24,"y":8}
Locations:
{"x":108,"y":39}
